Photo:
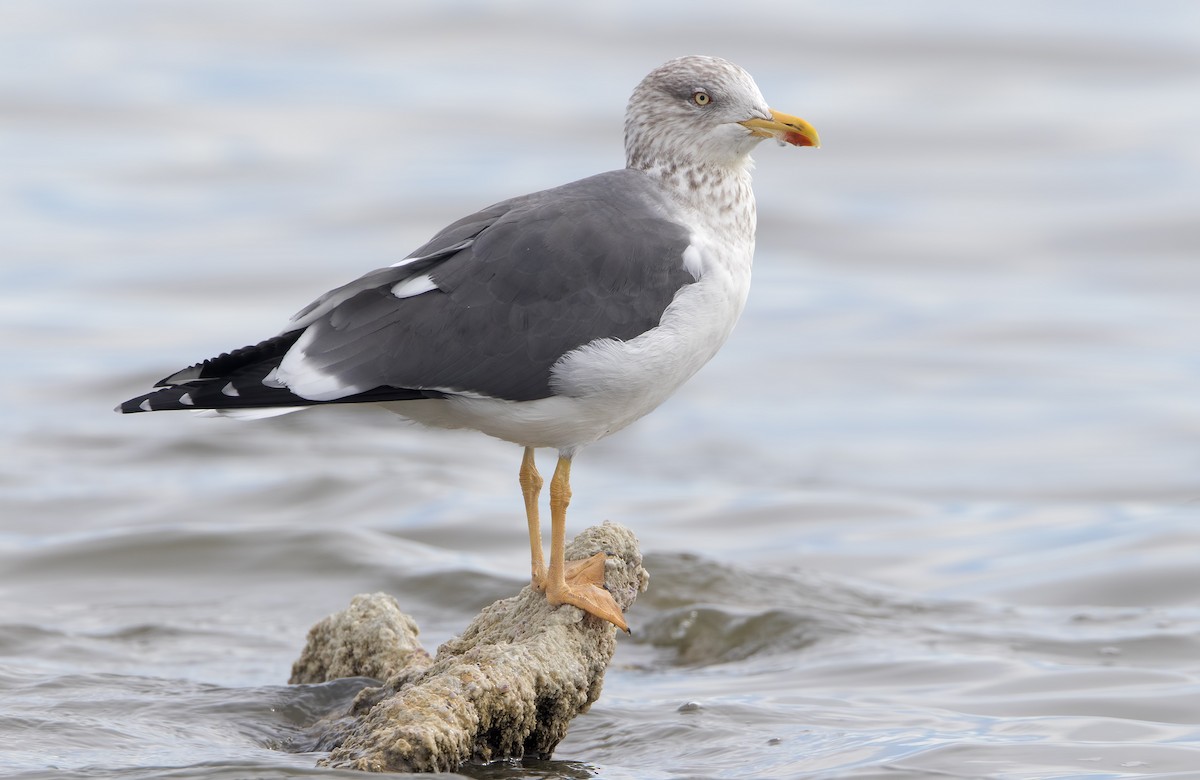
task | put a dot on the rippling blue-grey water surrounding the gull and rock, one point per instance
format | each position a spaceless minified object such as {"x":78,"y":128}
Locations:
{"x":934,"y":512}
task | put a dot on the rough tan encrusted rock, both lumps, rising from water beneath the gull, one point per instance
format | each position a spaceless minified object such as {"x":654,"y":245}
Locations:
{"x":507,"y":688}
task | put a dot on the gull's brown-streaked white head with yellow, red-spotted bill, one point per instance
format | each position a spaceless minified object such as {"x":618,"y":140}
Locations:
{"x":704,"y":111}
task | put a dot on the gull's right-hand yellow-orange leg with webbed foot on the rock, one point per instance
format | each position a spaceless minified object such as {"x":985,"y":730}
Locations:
{"x":583,"y":583}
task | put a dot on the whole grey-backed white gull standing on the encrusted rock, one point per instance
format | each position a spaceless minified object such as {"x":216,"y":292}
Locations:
{"x":549,"y":321}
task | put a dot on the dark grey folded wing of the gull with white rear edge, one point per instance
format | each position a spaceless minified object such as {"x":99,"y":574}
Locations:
{"x":508,"y":292}
